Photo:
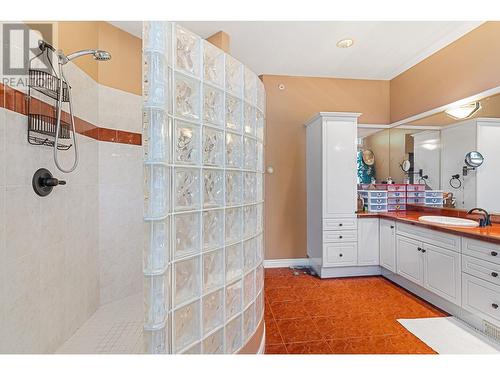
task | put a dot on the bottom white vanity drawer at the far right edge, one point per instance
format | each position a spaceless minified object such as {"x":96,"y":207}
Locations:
{"x":481,"y":297}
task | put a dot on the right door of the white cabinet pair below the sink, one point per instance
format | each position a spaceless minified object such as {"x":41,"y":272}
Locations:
{"x":442,"y":273}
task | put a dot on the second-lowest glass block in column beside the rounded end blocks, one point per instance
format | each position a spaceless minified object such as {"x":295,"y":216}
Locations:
{"x":187,"y":280}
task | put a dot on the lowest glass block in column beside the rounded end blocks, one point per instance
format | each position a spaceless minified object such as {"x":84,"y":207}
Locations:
{"x":186,"y":326}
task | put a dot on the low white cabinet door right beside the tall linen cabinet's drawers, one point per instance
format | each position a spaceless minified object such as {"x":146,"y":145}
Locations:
{"x":368,"y":242}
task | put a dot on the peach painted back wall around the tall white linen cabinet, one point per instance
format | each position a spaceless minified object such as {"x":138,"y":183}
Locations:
{"x":287,"y":111}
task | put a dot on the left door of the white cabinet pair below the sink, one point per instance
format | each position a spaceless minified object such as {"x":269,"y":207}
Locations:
{"x":409,"y":259}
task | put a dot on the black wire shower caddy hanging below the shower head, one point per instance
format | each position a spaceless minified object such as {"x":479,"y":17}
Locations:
{"x":42,"y":124}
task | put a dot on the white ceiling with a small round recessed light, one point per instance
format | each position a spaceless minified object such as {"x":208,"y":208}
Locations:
{"x":381,"y":50}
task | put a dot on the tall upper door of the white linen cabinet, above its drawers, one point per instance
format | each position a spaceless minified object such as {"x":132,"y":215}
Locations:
{"x":339,"y":168}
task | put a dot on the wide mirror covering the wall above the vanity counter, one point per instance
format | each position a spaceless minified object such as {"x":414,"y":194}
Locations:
{"x":436,"y":150}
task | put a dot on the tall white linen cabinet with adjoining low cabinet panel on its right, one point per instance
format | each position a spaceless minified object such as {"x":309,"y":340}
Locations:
{"x":332,"y":224}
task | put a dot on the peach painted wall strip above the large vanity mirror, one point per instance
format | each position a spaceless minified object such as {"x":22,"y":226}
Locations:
{"x":464,"y":68}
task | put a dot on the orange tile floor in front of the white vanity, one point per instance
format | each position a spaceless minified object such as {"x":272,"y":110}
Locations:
{"x":307,"y":315}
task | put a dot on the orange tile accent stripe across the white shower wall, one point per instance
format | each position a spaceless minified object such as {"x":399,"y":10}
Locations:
{"x":15,"y":101}
